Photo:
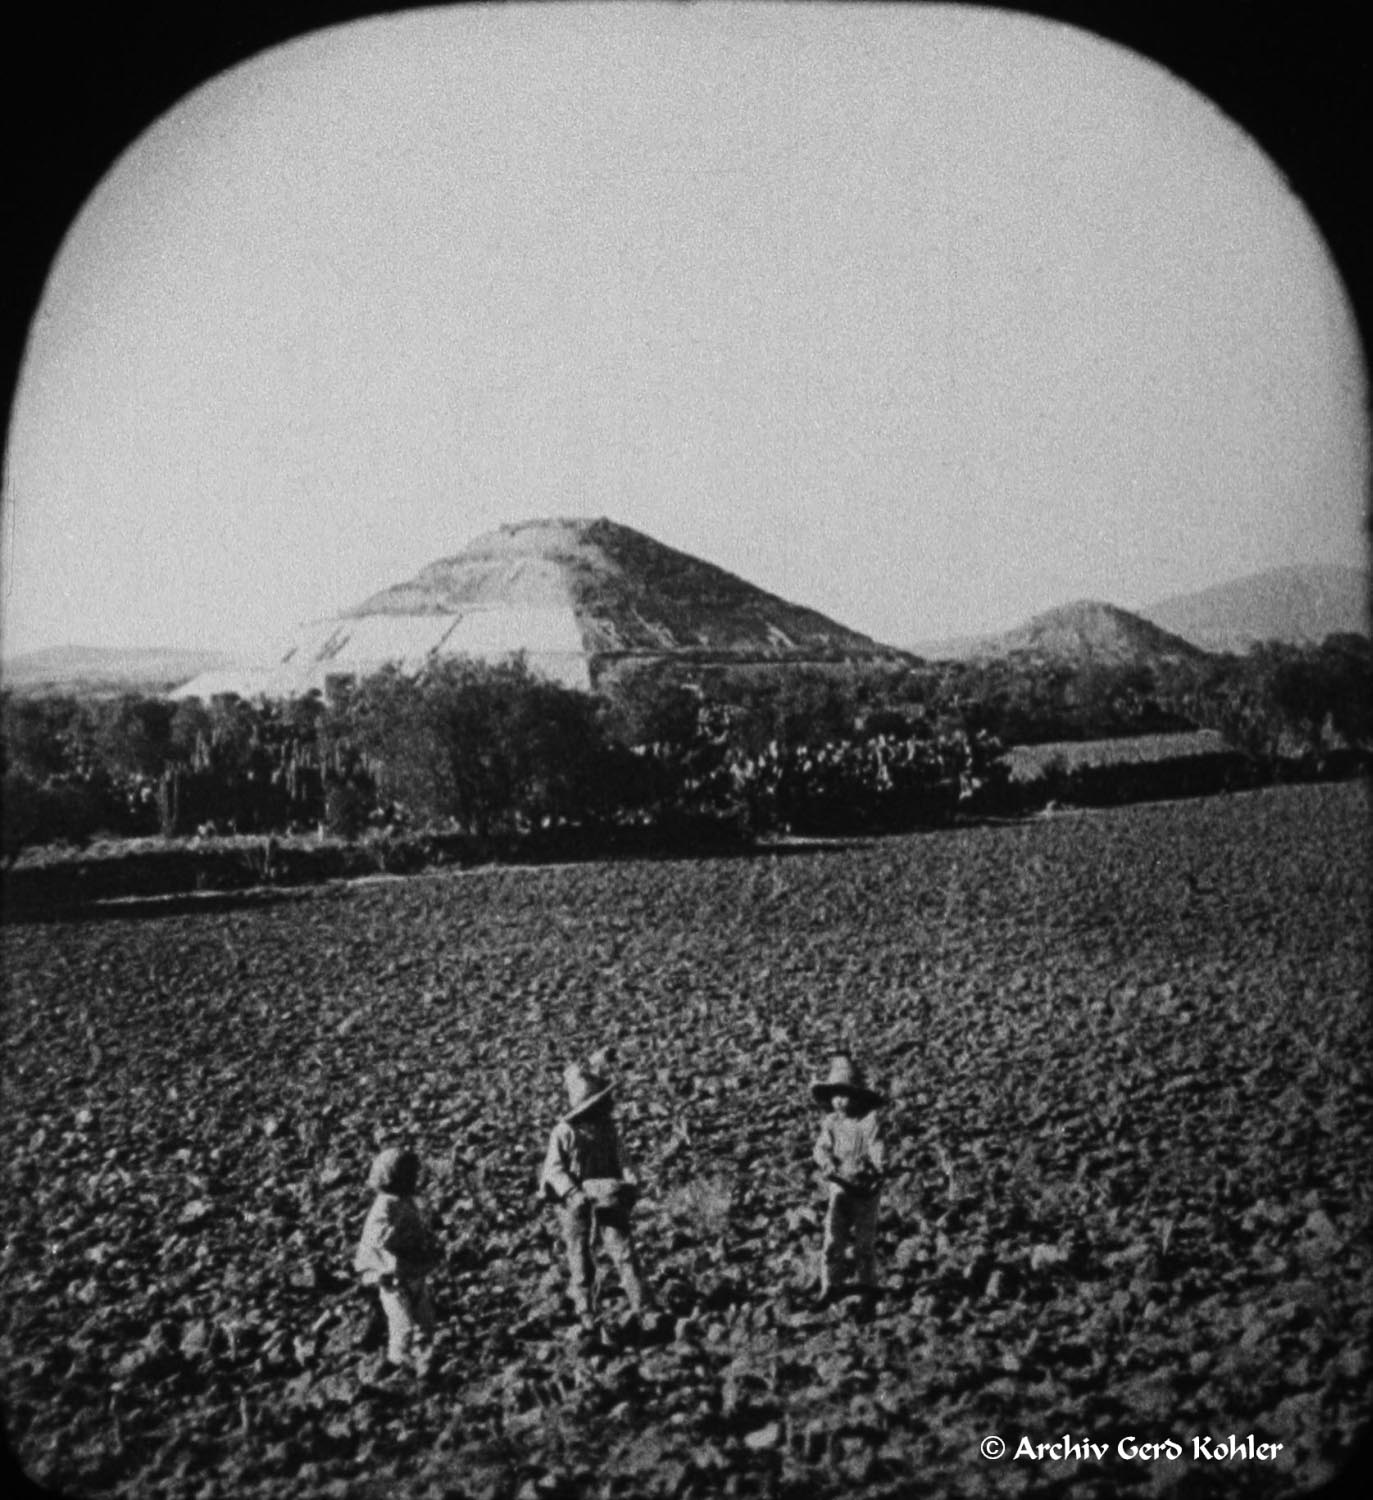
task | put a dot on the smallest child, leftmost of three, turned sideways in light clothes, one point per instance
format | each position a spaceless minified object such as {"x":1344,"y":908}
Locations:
{"x":397,"y":1253}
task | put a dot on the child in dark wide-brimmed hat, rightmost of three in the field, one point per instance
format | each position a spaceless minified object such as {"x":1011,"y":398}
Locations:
{"x":852,"y":1160}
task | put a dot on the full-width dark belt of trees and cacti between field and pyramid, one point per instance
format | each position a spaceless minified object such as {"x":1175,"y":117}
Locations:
{"x":494,"y":751}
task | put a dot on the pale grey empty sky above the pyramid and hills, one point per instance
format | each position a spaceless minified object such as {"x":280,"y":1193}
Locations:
{"x":924,"y":317}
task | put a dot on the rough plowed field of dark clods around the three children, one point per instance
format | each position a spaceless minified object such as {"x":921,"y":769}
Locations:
{"x":1131,"y":1075}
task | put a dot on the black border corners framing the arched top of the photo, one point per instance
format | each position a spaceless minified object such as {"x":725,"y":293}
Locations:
{"x":88,"y":85}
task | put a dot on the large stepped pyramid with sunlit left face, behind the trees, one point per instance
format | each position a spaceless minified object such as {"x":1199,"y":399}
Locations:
{"x":583,"y":599}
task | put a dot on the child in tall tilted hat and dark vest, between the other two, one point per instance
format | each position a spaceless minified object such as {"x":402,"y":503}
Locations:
{"x":595,"y":1189}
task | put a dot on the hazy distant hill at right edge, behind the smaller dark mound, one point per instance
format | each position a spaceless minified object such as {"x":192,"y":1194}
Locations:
{"x":1297,"y":605}
